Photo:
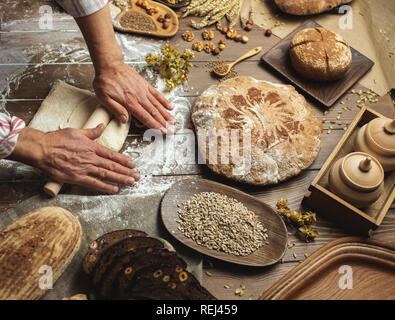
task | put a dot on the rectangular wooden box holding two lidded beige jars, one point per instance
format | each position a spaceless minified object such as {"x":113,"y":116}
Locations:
{"x":356,"y":186}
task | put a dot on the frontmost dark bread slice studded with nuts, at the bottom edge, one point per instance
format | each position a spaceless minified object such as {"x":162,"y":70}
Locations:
{"x":170,"y":278}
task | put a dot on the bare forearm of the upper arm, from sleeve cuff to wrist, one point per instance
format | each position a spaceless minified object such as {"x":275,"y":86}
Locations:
{"x":99,"y":35}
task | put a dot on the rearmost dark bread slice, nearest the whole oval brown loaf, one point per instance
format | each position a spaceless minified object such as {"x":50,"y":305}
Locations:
{"x":98,"y":246}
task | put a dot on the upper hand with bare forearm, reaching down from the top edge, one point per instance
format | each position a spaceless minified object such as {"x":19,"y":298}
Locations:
{"x":120,"y":88}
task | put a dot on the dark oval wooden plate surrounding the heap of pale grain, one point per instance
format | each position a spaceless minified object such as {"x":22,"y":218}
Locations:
{"x":277,"y":232}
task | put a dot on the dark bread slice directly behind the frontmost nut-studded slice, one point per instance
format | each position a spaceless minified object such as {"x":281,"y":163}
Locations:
{"x":157,"y":259}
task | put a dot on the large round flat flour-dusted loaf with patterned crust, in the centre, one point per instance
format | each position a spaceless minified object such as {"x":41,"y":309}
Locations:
{"x":285,"y":134}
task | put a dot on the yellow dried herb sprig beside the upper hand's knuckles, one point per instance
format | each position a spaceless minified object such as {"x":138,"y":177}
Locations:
{"x":172,"y":65}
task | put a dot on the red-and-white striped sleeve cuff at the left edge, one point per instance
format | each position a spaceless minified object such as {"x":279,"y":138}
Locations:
{"x":10,"y":127}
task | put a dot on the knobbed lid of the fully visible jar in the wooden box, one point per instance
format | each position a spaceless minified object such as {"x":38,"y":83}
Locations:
{"x":362,"y":172}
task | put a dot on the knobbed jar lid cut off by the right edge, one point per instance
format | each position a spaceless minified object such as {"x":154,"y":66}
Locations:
{"x":380,"y":135}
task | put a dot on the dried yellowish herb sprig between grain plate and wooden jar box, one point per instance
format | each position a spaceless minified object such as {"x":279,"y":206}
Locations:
{"x":302,"y":221}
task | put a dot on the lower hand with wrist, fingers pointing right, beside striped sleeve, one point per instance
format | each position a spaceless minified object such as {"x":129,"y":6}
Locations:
{"x":71,"y":156}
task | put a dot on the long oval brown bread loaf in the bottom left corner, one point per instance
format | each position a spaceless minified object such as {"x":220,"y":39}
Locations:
{"x":49,"y":236}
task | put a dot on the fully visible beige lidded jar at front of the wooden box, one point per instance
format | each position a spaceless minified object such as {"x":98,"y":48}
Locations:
{"x":358,"y":178}
